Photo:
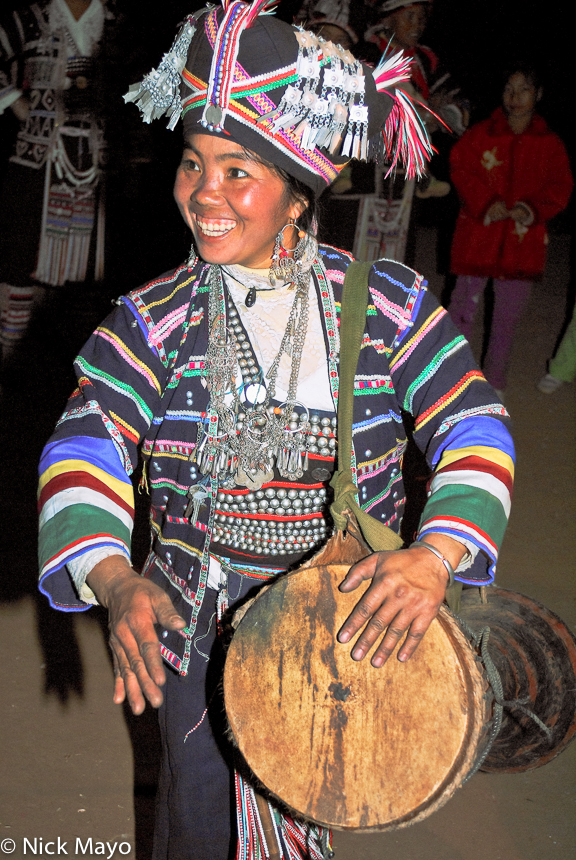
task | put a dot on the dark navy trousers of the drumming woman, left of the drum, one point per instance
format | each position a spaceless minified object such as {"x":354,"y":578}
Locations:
{"x":195,"y":807}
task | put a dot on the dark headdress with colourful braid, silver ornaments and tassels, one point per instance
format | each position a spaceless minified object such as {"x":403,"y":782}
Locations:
{"x":296,"y":100}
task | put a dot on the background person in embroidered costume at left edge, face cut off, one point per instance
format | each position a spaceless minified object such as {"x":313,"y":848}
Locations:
{"x":50,"y":213}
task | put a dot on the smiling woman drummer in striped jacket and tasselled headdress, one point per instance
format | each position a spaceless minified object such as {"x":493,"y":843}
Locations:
{"x":224,"y":374}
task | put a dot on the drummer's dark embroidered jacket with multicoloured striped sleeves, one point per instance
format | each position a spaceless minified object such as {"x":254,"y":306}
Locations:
{"x":140,"y":387}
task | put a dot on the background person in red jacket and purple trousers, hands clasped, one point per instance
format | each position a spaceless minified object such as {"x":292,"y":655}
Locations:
{"x":512,"y":175}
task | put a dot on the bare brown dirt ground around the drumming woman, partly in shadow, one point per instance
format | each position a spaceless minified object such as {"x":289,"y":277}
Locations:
{"x":74,"y":766}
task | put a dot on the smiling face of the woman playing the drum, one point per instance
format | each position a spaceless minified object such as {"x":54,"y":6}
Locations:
{"x":234,"y":206}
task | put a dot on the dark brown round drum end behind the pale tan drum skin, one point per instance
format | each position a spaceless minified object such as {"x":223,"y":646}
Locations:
{"x":535,"y":655}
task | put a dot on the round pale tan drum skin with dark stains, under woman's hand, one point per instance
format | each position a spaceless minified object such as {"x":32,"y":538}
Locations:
{"x":338,"y":741}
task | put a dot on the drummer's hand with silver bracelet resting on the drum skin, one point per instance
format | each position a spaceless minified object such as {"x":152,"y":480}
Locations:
{"x":407,"y":589}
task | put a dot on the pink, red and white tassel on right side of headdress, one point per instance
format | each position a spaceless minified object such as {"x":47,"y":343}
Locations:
{"x":405,"y":140}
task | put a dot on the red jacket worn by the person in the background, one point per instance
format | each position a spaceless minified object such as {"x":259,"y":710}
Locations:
{"x":491,"y":163}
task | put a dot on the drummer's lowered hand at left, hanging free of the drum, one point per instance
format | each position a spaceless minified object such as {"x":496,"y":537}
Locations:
{"x":134,"y":606}
